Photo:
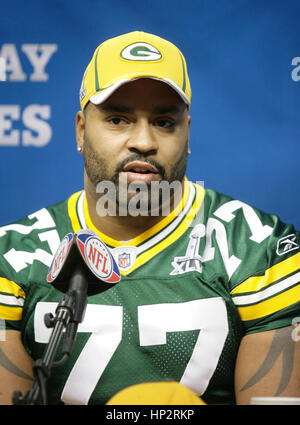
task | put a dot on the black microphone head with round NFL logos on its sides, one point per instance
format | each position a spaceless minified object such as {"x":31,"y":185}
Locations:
{"x":85,"y":253}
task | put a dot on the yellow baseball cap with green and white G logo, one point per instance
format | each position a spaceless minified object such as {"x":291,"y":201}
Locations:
{"x":127,"y":57}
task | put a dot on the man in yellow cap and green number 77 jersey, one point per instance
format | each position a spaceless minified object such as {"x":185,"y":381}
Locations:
{"x":209,"y":294}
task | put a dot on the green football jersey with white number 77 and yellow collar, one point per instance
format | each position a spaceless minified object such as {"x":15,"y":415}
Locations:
{"x":191,"y":287}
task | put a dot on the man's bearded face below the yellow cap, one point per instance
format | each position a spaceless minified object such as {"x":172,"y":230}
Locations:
{"x":139,"y":135}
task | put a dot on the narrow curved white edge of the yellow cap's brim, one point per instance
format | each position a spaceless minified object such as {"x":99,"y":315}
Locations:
{"x":102,"y":96}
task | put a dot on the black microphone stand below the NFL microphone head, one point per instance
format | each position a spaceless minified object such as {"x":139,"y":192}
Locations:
{"x":69,"y":313}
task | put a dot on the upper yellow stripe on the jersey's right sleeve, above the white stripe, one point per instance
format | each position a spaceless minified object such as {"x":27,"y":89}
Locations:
{"x":274,"y":273}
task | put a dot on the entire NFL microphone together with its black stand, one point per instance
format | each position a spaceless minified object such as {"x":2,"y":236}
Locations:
{"x":82,"y":266}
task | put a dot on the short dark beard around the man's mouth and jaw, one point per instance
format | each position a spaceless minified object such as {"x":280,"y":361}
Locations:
{"x":149,"y":198}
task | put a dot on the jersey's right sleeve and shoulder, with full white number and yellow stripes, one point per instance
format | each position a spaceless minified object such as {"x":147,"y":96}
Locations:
{"x":260,"y":265}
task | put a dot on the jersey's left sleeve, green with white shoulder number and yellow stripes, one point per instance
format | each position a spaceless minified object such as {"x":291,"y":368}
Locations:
{"x":26,"y":250}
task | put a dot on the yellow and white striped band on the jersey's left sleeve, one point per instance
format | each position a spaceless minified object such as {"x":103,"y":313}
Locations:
{"x":11,"y":296}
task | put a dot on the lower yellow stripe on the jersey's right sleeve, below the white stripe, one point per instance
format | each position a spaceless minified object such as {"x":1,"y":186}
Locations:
{"x":272,"y":305}
